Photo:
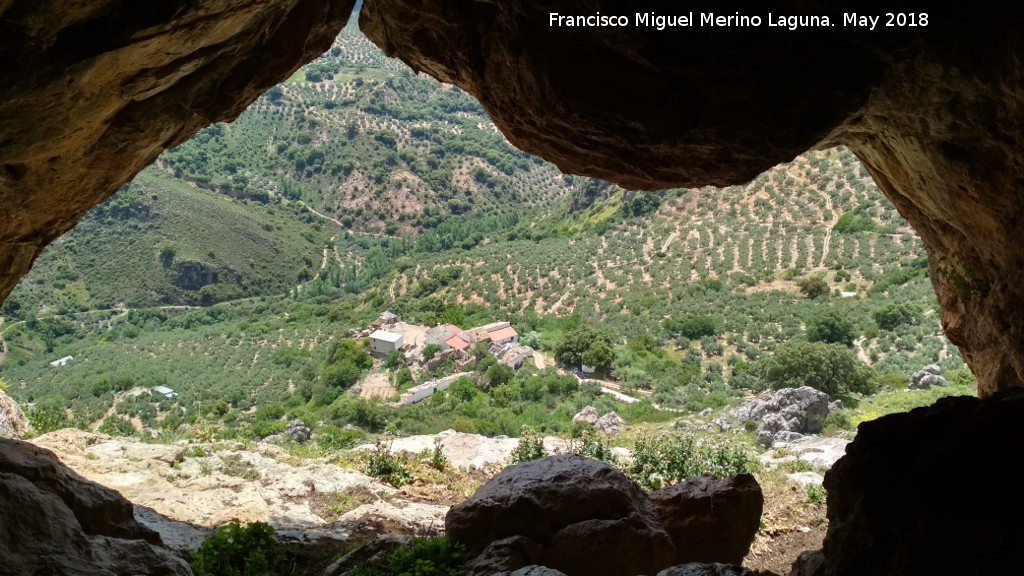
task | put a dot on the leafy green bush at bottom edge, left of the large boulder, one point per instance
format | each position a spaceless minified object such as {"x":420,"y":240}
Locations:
{"x":234,"y":551}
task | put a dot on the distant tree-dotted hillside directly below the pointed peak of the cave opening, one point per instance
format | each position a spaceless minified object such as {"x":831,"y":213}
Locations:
{"x":359,"y":138}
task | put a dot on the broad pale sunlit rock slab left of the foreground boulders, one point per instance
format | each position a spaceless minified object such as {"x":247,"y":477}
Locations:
{"x":232,"y":483}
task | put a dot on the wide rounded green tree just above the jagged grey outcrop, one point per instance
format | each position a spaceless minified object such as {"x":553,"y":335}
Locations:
{"x":833,"y":369}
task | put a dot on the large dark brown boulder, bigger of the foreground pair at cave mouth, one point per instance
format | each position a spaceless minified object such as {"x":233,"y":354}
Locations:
{"x":569,"y":513}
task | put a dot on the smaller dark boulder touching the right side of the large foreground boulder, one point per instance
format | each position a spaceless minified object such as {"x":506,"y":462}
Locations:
{"x":711,"y":520}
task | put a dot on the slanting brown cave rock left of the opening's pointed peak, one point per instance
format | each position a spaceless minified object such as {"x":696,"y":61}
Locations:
{"x":93,"y":93}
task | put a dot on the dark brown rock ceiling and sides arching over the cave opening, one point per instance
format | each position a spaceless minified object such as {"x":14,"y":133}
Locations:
{"x":93,"y":93}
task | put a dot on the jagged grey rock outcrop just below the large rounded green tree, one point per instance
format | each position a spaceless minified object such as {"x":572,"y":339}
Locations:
{"x":785,"y":416}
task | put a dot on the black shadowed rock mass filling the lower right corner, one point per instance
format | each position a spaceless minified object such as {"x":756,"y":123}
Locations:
{"x":932,"y":491}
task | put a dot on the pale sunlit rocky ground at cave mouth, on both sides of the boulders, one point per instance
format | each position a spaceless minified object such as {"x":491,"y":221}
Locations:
{"x":321,"y":501}
